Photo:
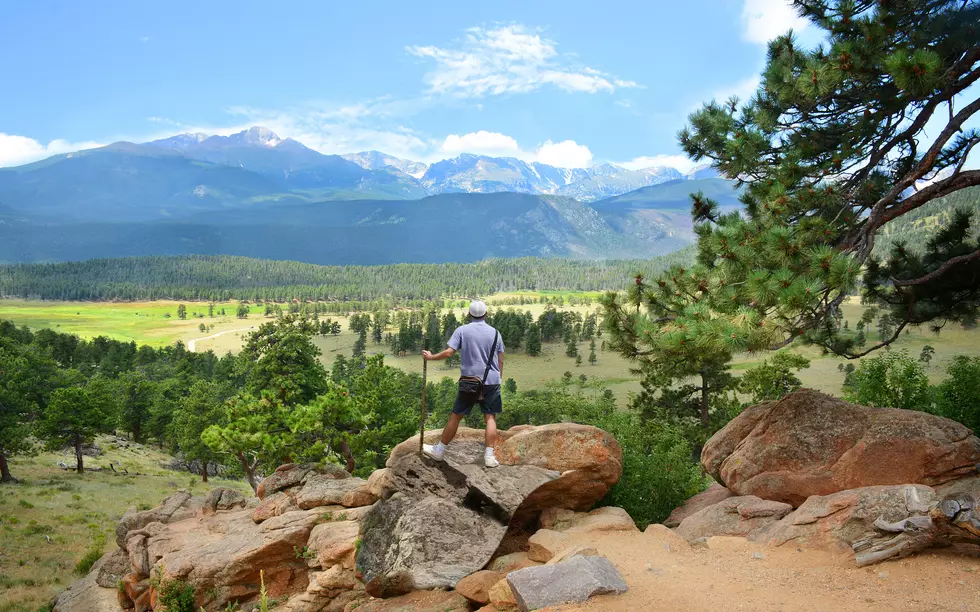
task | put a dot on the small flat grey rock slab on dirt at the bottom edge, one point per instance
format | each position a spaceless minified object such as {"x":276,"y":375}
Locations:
{"x":571,"y":581}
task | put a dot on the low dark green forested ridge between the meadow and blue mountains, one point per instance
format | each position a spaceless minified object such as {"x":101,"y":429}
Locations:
{"x":218,"y":278}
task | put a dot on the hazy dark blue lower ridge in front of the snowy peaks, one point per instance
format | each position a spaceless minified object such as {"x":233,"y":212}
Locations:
{"x":443,"y":228}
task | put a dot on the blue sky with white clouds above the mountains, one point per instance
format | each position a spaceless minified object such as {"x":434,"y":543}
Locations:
{"x":568,"y":83}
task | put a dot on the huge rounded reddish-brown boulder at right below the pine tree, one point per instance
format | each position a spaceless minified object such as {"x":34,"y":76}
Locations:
{"x":809,"y":444}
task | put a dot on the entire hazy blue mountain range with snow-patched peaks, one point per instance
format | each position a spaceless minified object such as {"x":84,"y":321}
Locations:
{"x":259,"y":195}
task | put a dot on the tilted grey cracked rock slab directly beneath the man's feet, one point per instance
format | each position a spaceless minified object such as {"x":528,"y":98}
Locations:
{"x":443,"y":521}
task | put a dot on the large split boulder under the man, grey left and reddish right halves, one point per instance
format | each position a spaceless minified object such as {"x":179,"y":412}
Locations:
{"x":438,"y":522}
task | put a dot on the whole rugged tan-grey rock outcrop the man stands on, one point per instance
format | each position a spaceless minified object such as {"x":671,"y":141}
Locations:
{"x":320,"y":540}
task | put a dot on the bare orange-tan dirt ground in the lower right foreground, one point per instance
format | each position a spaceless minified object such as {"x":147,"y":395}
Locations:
{"x":734,"y":574}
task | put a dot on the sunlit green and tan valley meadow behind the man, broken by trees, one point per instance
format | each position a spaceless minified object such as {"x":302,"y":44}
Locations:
{"x":146,"y":322}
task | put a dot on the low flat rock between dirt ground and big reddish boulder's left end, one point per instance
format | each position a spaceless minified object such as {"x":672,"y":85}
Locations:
{"x":745,"y":516}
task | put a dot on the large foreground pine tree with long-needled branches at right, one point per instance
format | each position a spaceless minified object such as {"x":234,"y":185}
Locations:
{"x":829,"y":149}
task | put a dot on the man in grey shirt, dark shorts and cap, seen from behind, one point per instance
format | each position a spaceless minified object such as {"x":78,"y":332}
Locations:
{"x":481,"y":359}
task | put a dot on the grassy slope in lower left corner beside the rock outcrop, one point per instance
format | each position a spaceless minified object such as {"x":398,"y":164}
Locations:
{"x":53,"y":517}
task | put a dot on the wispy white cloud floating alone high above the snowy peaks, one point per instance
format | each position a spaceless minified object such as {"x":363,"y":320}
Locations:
{"x":508,"y":59}
